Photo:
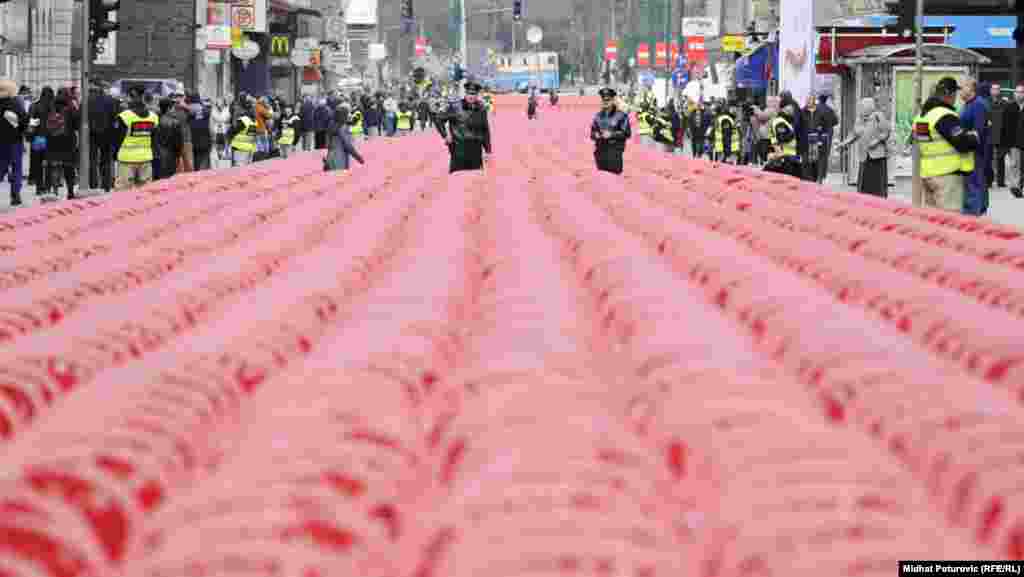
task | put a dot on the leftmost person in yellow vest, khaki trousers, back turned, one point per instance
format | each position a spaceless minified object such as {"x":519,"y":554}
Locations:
{"x":137,"y":128}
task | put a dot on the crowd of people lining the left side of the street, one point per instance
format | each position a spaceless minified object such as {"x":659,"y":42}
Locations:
{"x":140,"y":137}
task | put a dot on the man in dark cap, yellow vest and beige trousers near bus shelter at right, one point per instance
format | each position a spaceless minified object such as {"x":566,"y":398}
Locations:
{"x":947,"y":150}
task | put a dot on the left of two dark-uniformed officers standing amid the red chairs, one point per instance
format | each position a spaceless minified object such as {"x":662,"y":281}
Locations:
{"x":466,"y":131}
